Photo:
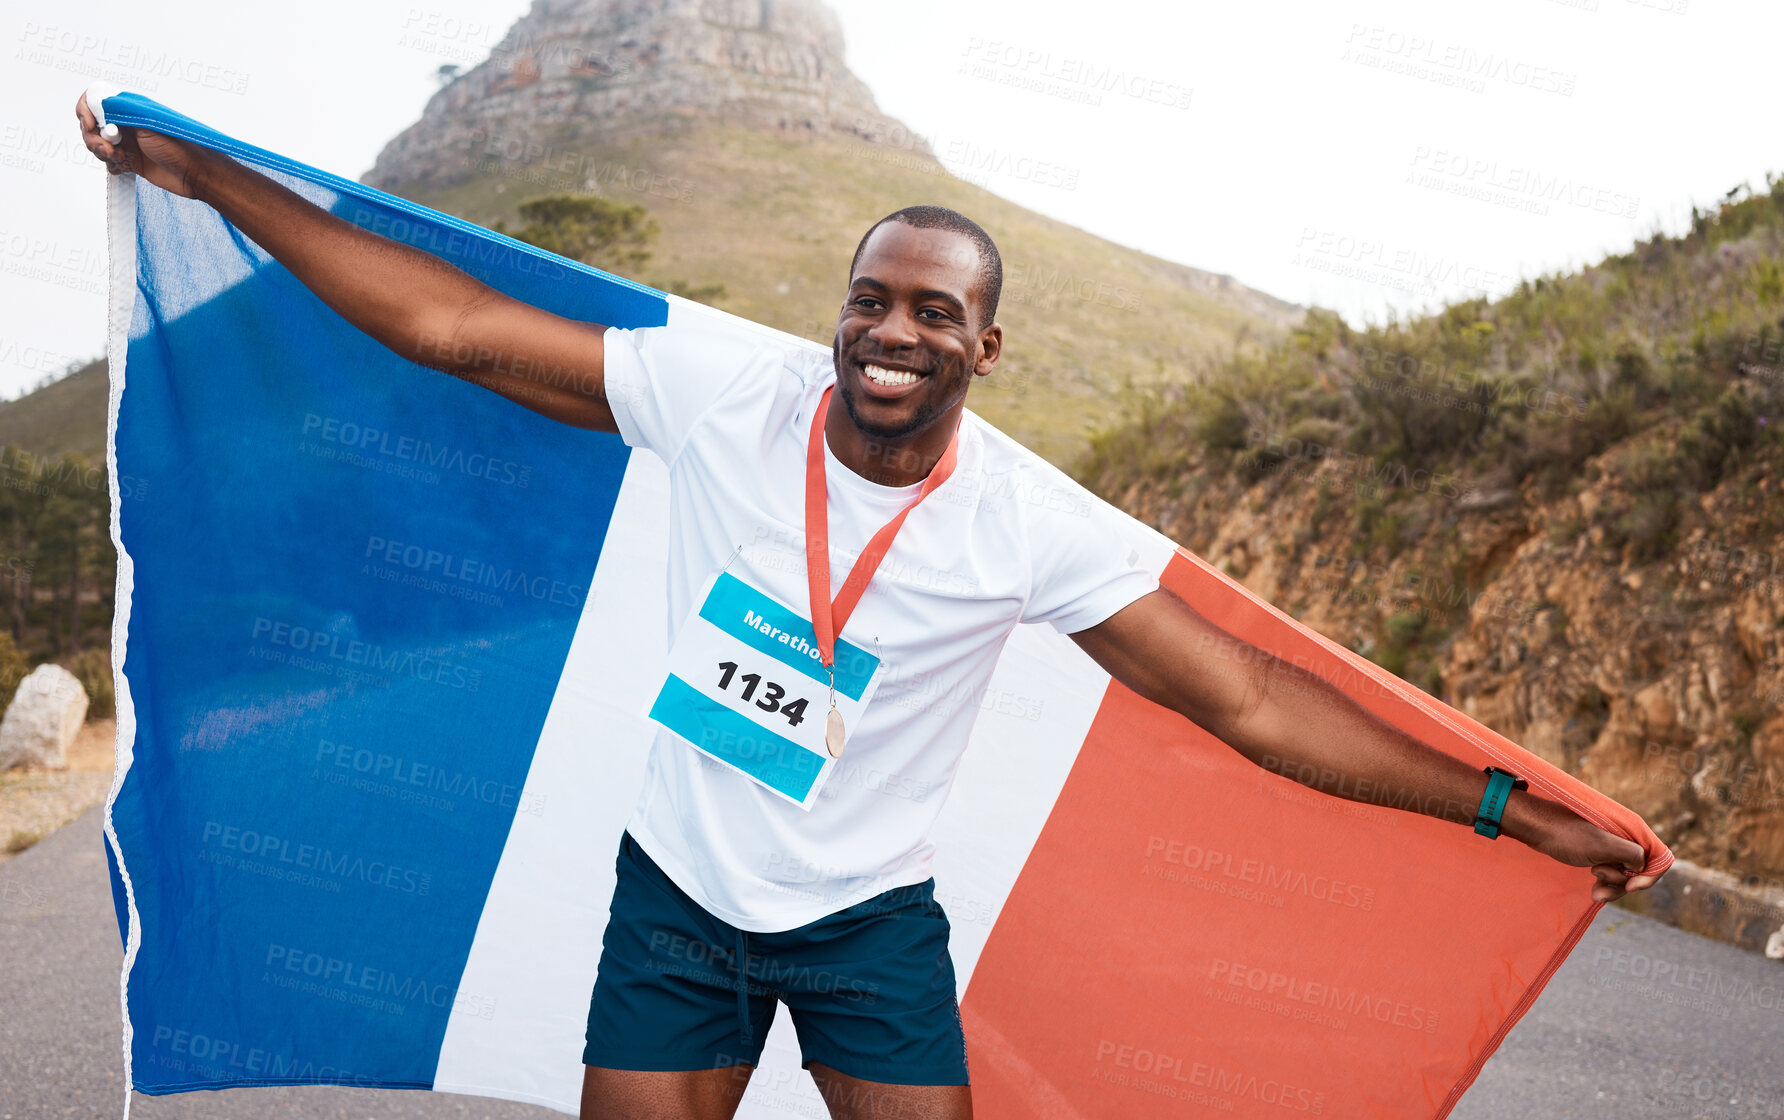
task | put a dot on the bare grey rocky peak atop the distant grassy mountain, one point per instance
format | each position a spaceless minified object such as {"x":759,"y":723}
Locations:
{"x":602,"y":70}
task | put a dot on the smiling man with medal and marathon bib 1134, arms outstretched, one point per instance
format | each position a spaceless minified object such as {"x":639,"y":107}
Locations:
{"x":838,"y":500}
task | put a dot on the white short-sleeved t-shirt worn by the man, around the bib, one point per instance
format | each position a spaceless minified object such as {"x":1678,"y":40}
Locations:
{"x":1009,"y":539}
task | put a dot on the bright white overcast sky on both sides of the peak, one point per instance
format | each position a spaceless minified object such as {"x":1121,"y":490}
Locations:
{"x":1367,"y":158}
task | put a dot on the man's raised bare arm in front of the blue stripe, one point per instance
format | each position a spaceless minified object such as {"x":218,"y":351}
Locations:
{"x":411,"y":302}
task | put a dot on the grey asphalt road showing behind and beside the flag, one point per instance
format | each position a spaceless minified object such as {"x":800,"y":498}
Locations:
{"x":1696,"y":1030}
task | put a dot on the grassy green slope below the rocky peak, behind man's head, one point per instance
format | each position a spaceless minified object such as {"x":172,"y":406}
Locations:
{"x":775,"y":218}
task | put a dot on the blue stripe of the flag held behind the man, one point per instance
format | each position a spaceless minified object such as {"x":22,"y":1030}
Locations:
{"x":340,"y":670}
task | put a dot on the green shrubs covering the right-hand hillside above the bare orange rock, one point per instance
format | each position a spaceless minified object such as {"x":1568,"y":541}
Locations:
{"x":1671,"y":358}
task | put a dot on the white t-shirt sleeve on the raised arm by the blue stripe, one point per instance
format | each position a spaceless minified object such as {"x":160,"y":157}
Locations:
{"x":661,"y":381}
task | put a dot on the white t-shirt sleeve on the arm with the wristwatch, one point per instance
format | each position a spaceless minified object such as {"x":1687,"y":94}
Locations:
{"x":1086,"y":554}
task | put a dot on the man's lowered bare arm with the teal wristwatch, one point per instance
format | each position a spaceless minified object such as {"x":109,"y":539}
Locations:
{"x":1298,"y":725}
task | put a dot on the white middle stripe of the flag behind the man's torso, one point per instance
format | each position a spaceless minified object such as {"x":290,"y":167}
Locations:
{"x":525,"y":992}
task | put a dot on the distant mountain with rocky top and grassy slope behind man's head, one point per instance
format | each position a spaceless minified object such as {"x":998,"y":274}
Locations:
{"x":739,"y":126}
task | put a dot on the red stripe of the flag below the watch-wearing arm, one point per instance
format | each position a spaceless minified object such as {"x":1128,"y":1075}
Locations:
{"x":1194,"y":935}
